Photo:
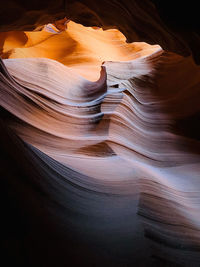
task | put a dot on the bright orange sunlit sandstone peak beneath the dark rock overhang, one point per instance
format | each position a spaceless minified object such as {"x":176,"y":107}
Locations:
{"x":82,"y":48}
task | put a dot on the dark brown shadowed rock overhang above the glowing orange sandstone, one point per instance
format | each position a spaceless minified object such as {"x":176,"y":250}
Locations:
{"x":174,"y":26}
